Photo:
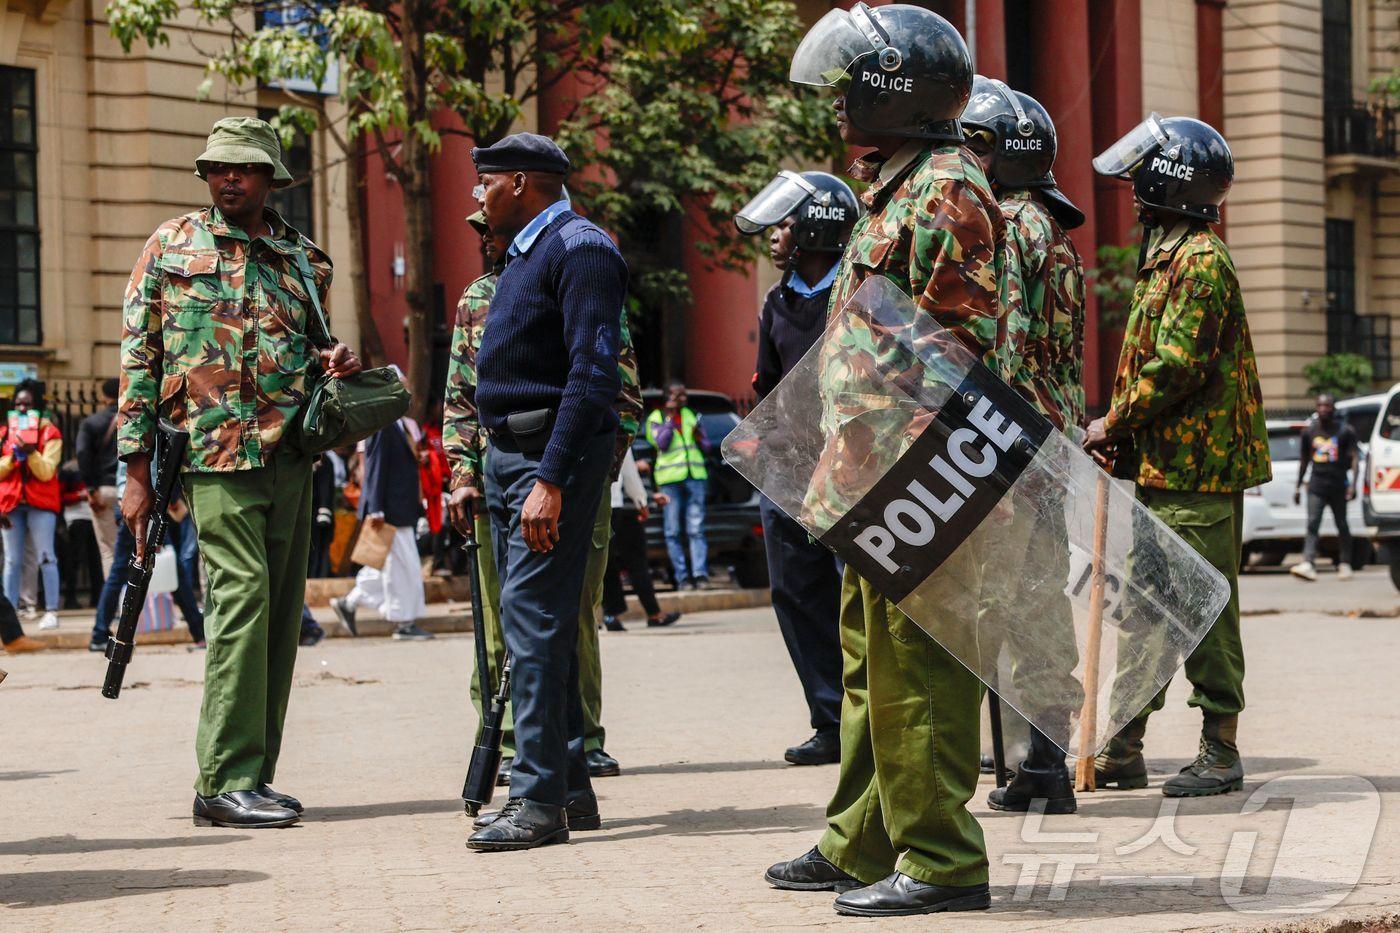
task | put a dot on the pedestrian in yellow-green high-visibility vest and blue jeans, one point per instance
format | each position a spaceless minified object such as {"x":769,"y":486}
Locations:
{"x":678,"y":435}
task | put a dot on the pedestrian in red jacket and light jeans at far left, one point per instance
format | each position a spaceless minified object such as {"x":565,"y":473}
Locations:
{"x":30,"y":452}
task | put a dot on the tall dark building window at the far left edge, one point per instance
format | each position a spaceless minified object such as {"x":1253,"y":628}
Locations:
{"x":19,"y":211}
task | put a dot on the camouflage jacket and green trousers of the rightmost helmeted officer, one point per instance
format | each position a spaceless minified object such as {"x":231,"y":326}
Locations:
{"x":1186,"y":404}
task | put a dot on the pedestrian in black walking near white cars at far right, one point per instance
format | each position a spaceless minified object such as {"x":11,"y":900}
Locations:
{"x":1329,"y":446}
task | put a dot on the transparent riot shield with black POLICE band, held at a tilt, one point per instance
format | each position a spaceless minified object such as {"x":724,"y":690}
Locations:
{"x":990,"y":530}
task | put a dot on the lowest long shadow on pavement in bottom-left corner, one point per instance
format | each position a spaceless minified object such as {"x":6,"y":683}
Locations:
{"x":50,"y":889}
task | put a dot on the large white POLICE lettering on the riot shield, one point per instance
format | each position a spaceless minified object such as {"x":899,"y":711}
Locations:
{"x":943,"y":488}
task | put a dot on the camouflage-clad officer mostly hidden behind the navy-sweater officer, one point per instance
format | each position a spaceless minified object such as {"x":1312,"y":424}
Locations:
{"x":464,"y":446}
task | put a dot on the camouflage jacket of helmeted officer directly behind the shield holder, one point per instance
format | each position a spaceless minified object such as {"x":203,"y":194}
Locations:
{"x":1044,"y":296}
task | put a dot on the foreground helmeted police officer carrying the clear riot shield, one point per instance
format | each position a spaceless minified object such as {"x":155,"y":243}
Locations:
{"x":898,"y":826}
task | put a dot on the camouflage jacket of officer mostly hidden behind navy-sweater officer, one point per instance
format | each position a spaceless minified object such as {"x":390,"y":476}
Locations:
{"x":461,"y":431}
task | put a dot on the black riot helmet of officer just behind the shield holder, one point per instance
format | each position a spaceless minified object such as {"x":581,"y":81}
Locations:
{"x":1021,"y":134}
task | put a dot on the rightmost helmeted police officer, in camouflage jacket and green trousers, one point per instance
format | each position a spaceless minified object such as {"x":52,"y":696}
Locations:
{"x":1186,"y":421}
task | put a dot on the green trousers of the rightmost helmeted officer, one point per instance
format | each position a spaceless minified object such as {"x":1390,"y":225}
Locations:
{"x":1213,"y":525}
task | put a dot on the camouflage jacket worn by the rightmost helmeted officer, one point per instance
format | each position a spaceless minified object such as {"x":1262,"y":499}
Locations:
{"x":1188,"y":393}
